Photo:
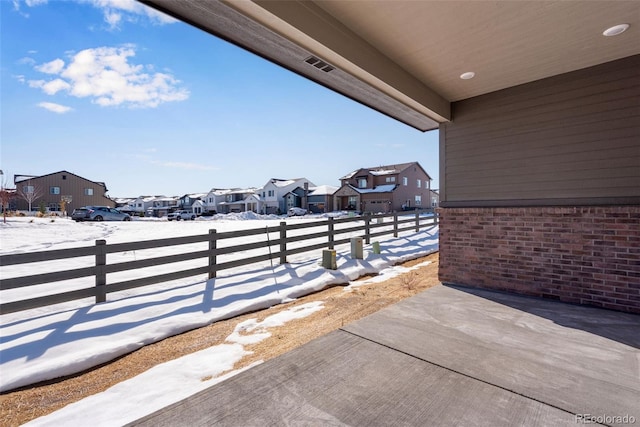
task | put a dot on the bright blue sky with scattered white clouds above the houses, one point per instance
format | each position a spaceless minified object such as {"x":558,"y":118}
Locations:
{"x":115,"y":92}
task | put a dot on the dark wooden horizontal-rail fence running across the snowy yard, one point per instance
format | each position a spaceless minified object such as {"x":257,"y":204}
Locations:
{"x":215,"y":249}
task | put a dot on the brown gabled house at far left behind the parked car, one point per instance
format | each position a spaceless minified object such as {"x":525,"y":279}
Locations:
{"x":59,"y":191}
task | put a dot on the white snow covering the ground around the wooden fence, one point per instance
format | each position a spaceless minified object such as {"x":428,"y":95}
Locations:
{"x":54,"y":341}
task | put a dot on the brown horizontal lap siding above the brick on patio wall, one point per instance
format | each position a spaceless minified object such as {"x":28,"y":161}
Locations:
{"x":570,"y":139}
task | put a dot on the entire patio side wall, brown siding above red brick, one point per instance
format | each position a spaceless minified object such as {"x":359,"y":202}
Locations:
{"x":540,"y":188}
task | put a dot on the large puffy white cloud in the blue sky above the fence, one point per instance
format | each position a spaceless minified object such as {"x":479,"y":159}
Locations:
{"x":106,"y":75}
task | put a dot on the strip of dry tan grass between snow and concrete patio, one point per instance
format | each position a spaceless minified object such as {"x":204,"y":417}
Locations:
{"x":340,"y":307}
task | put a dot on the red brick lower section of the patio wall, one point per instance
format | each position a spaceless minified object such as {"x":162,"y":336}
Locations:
{"x":585,"y":255}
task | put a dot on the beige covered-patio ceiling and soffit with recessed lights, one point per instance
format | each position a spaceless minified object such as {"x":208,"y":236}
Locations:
{"x":405,"y":58}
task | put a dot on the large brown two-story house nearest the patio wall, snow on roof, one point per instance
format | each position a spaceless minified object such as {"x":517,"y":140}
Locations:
{"x":385,"y":189}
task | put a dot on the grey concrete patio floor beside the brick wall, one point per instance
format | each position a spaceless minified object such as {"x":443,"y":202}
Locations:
{"x":450,"y":356}
